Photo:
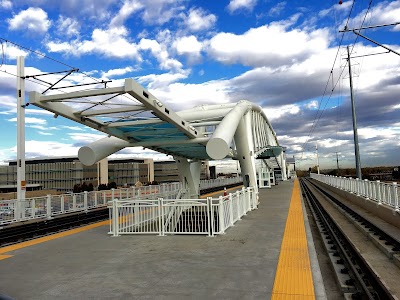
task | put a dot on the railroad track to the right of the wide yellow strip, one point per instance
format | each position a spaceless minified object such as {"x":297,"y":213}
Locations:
{"x":363,"y":256}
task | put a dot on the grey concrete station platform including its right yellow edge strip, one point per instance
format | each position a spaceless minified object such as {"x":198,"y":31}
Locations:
{"x":269,"y":254}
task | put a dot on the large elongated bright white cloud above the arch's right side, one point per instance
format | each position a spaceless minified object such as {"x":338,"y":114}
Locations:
{"x":267,"y":45}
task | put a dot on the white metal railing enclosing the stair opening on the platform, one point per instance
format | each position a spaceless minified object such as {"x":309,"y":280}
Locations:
{"x":163,"y":216}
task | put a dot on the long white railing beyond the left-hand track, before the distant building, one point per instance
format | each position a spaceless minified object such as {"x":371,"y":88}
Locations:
{"x":51,"y":205}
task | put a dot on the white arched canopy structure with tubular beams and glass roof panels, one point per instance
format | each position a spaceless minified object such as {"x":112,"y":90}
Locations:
{"x":131,"y":116}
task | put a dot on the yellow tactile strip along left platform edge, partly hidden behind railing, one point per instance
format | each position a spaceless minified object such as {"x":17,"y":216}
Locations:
{"x":65,"y":233}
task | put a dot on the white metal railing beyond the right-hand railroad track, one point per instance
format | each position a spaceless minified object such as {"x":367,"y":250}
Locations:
{"x":380,"y":192}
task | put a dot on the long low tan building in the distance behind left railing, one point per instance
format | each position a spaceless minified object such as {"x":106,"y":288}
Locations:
{"x":63,"y":173}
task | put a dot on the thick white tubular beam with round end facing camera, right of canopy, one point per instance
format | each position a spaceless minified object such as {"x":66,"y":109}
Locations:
{"x":218,"y":146}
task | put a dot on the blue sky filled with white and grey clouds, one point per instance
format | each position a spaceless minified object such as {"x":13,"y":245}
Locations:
{"x":276,"y":54}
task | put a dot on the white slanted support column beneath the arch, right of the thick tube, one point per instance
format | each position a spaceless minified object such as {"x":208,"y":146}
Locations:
{"x":245,"y":151}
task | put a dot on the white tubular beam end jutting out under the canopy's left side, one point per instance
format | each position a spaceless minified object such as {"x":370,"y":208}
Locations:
{"x":92,"y":153}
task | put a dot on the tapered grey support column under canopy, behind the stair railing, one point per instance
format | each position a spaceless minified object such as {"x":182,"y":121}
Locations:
{"x":189,"y":173}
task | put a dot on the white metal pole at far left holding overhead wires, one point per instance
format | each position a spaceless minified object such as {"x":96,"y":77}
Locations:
{"x":21,"y":184}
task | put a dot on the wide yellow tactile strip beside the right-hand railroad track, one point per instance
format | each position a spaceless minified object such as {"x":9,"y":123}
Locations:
{"x":293,"y":279}
